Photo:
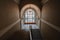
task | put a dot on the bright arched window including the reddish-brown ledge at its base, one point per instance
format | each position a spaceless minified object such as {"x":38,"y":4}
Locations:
{"x":29,"y":16}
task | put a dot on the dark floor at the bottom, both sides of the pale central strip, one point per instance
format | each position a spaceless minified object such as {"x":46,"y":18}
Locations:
{"x":23,"y":35}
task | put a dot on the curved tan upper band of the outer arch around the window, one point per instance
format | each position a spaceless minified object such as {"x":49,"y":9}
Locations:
{"x":31,"y":6}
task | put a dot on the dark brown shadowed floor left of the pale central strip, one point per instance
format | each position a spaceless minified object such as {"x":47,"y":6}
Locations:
{"x":19,"y":35}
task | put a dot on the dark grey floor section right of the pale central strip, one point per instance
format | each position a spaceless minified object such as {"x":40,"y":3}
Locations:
{"x":36,"y":35}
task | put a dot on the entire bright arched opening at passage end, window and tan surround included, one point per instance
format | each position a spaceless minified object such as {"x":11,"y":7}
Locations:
{"x":30,"y":15}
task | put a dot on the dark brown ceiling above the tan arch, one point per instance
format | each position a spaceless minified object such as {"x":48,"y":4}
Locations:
{"x":39,"y":3}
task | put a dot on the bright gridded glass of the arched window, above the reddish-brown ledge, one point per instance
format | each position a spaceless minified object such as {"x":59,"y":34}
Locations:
{"x":29,"y":16}
